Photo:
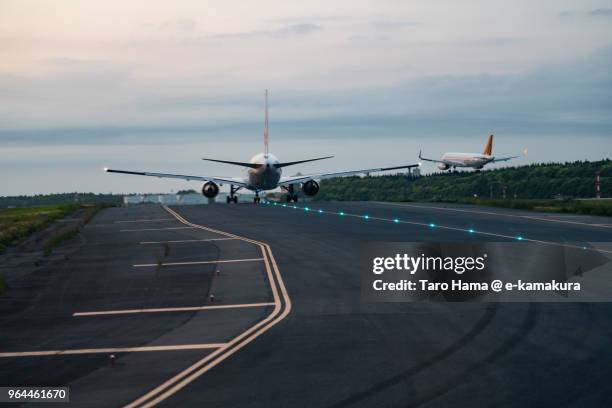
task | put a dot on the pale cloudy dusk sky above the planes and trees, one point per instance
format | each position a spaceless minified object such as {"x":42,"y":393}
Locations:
{"x":157,"y":85}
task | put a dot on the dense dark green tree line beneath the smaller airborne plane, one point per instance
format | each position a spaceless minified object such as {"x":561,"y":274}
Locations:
{"x":535,"y":181}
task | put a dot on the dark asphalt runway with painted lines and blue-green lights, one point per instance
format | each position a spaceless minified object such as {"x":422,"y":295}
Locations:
{"x":144,"y":276}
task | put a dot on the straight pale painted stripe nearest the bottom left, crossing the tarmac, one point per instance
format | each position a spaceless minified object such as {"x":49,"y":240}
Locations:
{"x":113,"y":350}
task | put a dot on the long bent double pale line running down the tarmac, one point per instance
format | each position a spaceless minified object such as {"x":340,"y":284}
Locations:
{"x":281,"y":310}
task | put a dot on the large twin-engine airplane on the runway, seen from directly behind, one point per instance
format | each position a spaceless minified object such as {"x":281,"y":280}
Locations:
{"x":264,"y":172}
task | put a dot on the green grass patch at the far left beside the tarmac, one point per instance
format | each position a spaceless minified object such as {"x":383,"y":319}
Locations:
{"x":17,"y":224}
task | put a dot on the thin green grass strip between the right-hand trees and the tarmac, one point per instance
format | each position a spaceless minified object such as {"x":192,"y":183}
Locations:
{"x":590,"y":207}
